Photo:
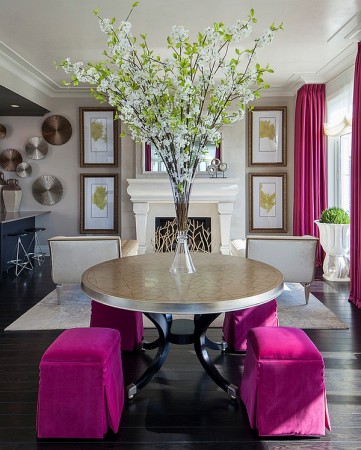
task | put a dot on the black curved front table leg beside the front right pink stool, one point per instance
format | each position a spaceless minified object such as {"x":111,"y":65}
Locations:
{"x":200,"y":346}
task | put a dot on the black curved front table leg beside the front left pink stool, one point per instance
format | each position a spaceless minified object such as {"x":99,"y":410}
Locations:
{"x":162,"y":323}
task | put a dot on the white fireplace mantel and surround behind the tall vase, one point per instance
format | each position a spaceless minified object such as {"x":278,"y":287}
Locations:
{"x":211,"y":197}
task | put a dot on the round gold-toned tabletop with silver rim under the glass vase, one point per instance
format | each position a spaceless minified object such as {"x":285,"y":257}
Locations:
{"x":144,"y":283}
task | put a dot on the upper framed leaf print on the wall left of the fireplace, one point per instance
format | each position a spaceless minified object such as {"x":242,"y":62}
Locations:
{"x":98,"y":137}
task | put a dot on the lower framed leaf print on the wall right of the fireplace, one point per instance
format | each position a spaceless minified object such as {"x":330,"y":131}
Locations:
{"x":268,"y":203}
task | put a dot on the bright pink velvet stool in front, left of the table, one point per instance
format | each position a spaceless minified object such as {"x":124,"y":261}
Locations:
{"x":81,"y":388}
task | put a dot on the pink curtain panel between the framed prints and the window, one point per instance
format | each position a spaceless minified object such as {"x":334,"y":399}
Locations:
{"x":310,"y":165}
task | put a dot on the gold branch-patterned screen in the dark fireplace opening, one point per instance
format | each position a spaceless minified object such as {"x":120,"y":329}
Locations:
{"x":199,"y":234}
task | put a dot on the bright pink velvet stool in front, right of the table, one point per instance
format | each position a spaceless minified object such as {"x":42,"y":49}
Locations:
{"x":283,"y":383}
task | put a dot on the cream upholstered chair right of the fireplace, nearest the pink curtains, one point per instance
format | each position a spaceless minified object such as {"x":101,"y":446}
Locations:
{"x":293,"y":256}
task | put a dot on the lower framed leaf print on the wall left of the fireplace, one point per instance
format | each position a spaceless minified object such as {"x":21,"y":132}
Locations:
{"x":99,"y":203}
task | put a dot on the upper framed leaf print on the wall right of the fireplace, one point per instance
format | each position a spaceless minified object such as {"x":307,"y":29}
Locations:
{"x":267,"y":136}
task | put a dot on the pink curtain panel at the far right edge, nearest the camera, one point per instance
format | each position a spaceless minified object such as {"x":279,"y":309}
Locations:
{"x":355,"y":227}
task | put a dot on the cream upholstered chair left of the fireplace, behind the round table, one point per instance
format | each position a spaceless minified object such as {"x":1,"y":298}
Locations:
{"x":71,"y":256}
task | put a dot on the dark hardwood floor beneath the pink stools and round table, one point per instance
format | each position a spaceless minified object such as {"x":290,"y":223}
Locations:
{"x":181,"y":408}
